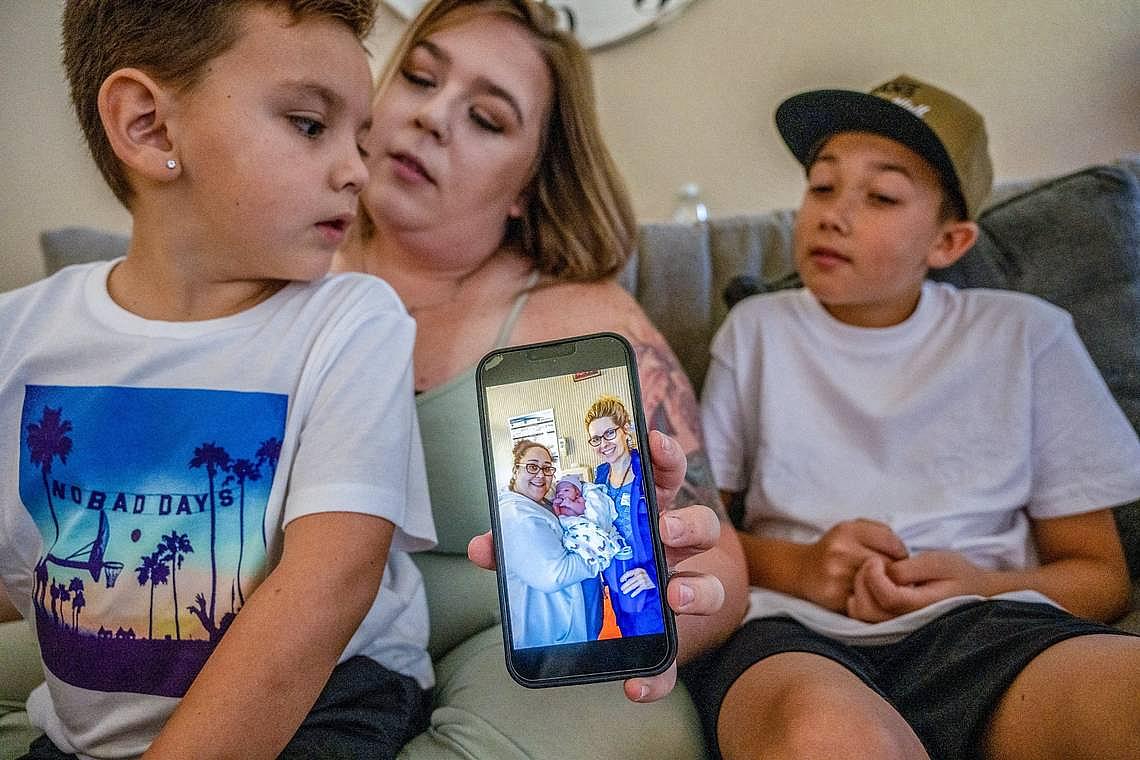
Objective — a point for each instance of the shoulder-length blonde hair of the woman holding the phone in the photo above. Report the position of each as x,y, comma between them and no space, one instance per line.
577,223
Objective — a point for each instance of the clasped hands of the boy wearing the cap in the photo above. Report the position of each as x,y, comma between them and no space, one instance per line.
862,569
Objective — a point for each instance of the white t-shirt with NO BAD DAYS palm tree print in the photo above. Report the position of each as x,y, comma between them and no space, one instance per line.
153,467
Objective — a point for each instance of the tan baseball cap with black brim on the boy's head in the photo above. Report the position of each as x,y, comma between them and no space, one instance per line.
942,128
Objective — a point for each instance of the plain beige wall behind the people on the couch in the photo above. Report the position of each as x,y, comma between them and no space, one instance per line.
1058,83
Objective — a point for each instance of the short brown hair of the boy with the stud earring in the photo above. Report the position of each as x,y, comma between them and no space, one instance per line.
173,42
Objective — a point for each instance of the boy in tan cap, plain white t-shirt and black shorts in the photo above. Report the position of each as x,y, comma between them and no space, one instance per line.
926,472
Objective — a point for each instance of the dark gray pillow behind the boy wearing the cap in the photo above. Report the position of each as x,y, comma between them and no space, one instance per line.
1076,242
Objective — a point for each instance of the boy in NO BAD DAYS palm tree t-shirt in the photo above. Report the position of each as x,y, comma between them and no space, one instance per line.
213,457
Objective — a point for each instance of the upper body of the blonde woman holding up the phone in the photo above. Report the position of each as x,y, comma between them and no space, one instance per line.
492,203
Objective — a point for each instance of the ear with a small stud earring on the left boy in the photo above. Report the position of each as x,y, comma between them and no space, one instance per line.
135,111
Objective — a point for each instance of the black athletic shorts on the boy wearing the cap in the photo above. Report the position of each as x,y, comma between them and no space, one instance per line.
946,680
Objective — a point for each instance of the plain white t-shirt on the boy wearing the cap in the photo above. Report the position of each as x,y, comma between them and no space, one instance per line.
981,411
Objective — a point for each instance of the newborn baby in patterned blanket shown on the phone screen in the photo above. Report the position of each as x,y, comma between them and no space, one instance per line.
588,517
